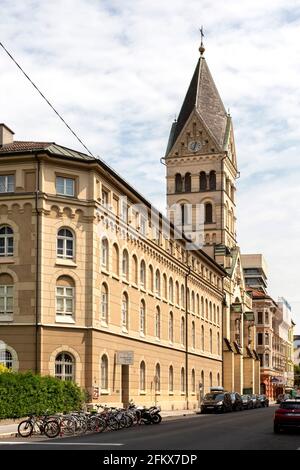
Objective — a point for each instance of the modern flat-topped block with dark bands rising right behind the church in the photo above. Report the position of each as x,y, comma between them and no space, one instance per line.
255,272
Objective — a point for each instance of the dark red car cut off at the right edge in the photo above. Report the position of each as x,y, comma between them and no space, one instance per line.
287,415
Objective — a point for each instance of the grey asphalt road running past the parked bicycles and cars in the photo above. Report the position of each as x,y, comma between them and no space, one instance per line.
246,430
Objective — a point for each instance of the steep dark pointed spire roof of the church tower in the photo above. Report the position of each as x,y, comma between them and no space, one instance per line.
203,96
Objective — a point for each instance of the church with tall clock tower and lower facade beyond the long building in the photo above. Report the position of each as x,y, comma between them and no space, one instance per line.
201,166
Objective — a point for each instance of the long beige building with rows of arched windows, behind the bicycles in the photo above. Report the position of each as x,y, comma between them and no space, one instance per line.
93,290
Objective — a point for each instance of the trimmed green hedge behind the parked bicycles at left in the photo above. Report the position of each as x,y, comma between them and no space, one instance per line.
25,393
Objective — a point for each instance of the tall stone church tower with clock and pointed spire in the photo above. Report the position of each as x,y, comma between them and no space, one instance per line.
202,168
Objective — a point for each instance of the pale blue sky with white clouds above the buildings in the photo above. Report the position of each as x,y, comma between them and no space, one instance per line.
118,72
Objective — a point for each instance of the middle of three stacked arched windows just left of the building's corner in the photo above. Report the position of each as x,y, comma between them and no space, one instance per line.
65,296
